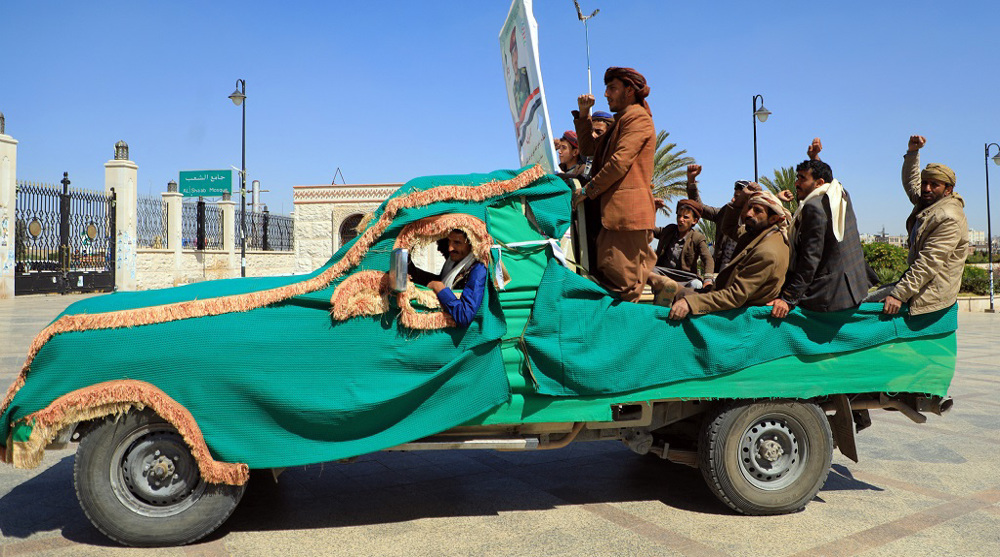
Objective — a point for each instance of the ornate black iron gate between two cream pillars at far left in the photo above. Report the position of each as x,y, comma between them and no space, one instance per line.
64,240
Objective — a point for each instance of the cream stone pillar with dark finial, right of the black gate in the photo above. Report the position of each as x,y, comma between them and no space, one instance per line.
122,175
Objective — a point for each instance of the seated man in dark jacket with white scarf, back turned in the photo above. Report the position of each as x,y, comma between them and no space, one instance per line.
827,270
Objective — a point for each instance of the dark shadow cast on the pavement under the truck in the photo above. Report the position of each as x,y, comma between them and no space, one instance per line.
389,488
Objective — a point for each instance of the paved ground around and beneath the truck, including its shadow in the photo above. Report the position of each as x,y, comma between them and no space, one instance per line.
931,489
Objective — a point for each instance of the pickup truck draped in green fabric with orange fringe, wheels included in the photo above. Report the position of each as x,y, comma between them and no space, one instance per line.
352,358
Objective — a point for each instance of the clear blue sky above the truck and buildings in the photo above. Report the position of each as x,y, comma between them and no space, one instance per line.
391,90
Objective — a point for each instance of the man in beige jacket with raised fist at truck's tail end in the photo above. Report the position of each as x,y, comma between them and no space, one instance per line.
939,237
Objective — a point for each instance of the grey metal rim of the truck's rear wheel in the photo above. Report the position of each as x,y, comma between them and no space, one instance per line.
773,452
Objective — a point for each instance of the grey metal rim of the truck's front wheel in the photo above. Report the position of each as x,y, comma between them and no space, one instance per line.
153,472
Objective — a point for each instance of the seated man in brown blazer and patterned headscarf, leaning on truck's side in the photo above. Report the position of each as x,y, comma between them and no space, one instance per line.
756,272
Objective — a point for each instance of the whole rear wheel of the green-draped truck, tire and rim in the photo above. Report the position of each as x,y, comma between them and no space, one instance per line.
766,458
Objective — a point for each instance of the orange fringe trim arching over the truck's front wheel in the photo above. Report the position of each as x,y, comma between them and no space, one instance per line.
117,397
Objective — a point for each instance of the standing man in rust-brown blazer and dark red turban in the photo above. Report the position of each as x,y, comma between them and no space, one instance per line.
622,174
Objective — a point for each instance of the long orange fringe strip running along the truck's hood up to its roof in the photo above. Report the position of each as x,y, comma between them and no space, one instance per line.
253,300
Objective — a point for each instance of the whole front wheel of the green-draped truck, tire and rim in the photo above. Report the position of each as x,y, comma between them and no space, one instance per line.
139,485
